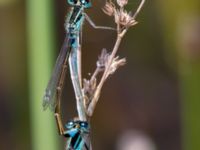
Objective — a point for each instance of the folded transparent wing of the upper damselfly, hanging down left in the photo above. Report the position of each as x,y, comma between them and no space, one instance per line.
49,95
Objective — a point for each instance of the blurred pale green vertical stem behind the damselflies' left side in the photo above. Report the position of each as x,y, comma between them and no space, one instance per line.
40,28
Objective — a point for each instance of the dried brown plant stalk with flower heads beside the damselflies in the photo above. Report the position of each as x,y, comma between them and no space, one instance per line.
109,63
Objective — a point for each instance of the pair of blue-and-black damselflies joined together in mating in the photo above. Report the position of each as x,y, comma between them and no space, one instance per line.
76,131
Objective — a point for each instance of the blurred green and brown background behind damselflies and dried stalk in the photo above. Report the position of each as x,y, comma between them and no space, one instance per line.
152,103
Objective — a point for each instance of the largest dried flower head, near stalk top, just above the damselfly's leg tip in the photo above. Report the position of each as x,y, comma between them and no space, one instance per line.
124,18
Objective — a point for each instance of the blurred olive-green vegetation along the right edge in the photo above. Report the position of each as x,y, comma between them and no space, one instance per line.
180,19
